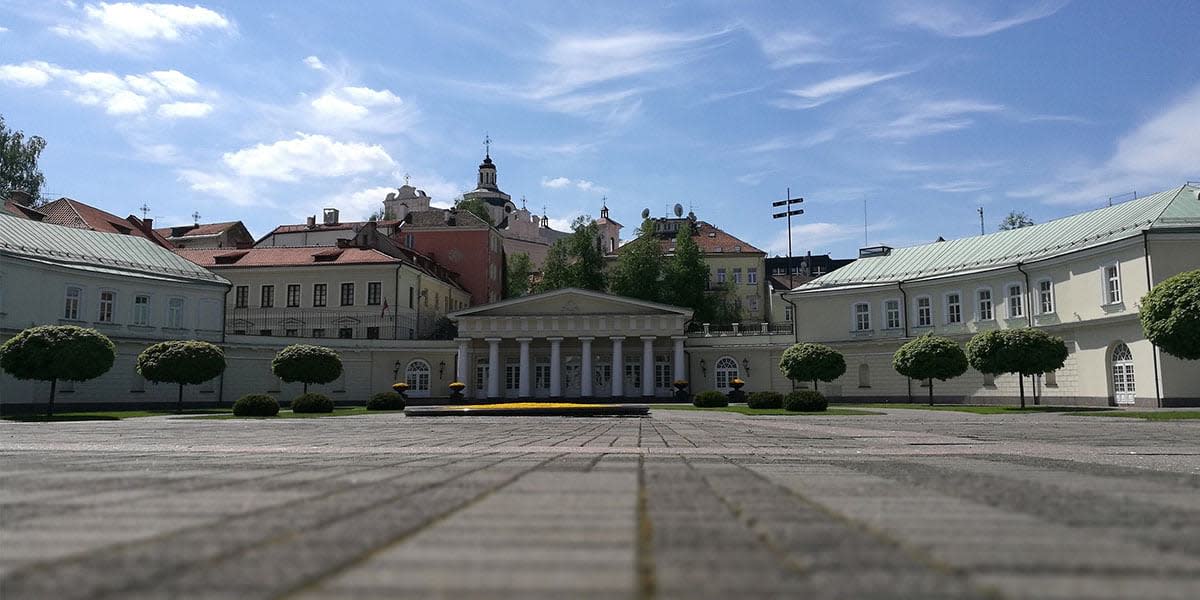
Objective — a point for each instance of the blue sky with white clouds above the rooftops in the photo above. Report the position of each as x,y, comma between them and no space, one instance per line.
266,112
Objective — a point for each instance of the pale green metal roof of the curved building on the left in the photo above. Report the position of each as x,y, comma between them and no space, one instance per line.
103,253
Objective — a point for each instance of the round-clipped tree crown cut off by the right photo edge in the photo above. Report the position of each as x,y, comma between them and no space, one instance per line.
1171,316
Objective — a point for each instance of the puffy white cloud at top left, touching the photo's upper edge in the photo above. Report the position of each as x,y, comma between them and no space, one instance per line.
130,27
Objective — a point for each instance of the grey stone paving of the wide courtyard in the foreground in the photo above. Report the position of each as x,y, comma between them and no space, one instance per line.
910,505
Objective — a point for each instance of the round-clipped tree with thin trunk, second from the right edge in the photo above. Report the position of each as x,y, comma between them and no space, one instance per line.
1024,352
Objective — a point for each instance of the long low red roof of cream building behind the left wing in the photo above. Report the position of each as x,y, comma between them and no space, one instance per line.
219,259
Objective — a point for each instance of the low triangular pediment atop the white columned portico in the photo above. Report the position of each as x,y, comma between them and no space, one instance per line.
572,302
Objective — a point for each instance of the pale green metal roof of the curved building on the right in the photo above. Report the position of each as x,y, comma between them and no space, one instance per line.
1165,211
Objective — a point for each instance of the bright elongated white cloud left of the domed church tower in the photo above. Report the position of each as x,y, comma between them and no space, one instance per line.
308,155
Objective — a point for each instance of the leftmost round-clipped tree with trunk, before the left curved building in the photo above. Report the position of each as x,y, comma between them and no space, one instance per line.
50,353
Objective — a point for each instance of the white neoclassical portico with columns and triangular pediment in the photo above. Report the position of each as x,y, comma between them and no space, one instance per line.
571,344
